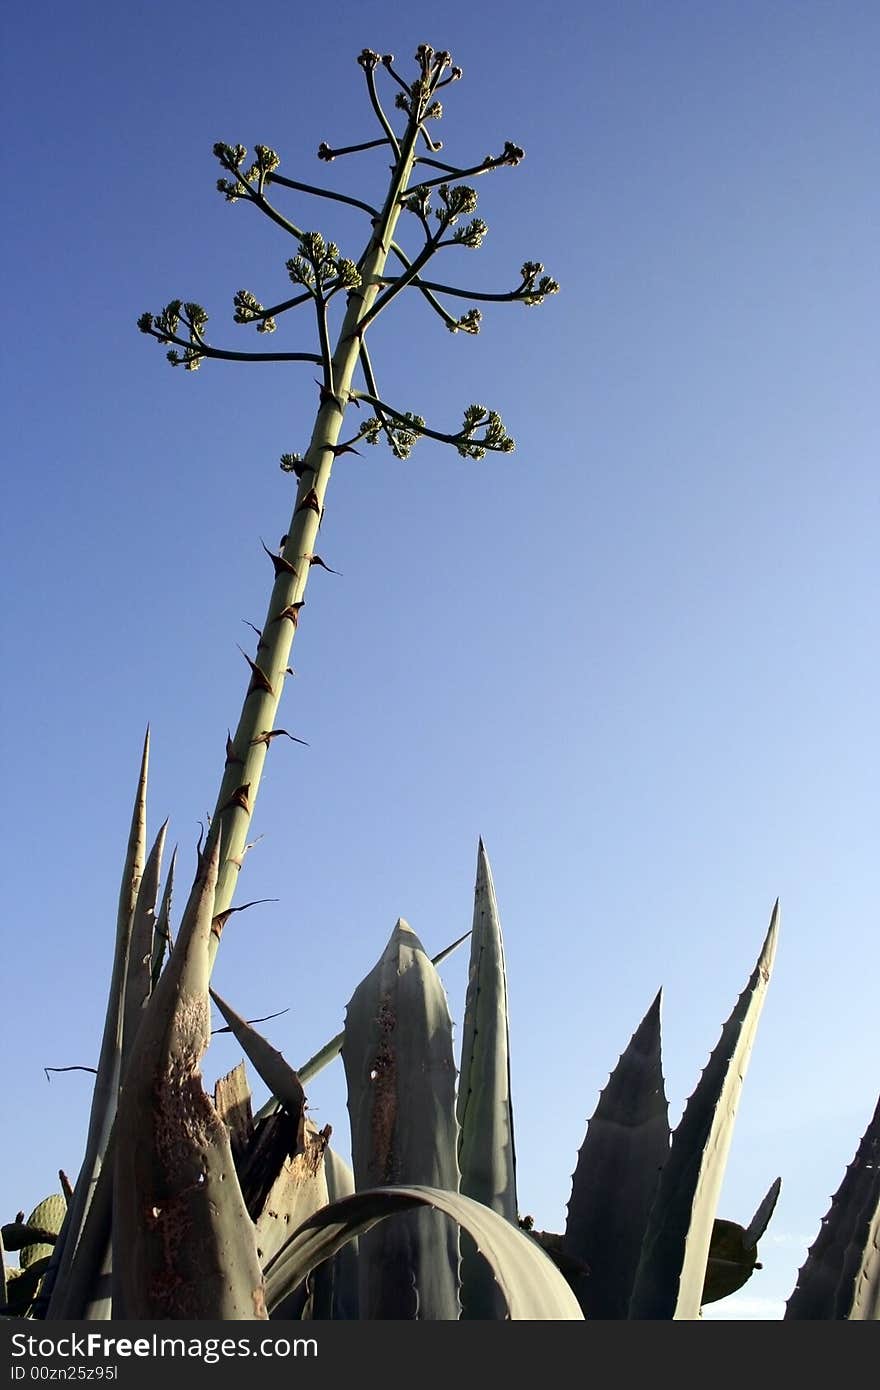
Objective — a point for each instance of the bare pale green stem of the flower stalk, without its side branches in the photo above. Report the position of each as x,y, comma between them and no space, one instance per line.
245,762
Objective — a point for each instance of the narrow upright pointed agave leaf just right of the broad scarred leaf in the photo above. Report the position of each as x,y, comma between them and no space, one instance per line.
487,1154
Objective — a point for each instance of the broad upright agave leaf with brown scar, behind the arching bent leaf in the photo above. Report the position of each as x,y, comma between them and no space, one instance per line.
401,1084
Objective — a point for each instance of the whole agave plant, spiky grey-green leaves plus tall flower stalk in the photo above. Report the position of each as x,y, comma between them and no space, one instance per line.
190,1206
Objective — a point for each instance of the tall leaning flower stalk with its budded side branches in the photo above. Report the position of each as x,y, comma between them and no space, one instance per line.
439,202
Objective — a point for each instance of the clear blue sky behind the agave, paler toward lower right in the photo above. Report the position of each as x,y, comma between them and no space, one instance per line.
637,657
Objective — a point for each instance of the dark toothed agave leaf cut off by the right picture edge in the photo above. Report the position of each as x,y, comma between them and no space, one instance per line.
840,1277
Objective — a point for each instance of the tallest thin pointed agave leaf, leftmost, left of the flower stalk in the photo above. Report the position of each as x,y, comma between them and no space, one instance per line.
111,1060
